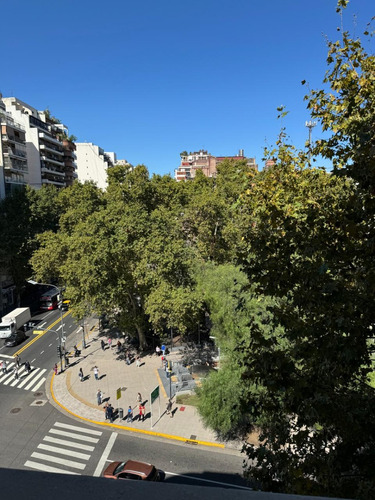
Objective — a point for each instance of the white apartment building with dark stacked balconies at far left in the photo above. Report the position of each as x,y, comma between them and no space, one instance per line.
50,156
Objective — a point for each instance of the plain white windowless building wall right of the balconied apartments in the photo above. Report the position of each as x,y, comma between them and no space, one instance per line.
92,163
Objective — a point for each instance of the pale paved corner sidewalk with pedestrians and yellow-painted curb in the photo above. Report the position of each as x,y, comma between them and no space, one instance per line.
79,398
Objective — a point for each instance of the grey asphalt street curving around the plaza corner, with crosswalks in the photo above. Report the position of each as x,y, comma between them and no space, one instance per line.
36,436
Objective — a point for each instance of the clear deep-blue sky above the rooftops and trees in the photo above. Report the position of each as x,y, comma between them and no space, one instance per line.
151,79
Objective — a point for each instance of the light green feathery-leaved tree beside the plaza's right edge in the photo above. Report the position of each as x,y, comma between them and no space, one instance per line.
228,398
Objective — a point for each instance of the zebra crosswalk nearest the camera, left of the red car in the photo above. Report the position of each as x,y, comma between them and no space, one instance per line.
50,453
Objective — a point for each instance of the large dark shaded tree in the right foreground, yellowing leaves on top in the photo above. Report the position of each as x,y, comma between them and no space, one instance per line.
308,240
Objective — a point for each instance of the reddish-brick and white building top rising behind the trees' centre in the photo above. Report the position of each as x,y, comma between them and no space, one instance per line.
206,163
